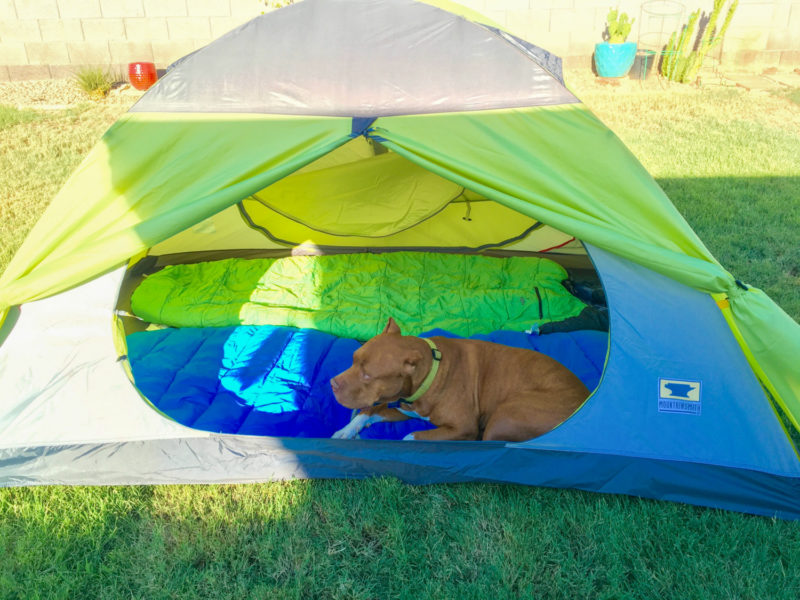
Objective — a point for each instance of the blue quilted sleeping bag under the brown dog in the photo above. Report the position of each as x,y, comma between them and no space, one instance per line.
275,381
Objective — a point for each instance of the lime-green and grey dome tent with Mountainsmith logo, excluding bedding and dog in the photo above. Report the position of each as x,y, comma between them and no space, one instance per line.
344,125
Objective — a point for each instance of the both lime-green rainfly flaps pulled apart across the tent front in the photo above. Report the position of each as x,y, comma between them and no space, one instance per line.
154,175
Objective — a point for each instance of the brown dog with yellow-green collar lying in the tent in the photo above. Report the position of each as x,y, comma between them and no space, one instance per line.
478,390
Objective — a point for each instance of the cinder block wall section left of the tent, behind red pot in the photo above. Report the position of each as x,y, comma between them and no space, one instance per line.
41,39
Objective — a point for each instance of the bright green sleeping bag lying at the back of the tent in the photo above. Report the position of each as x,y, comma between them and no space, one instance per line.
353,295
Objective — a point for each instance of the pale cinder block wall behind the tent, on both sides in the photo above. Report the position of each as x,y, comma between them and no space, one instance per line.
42,39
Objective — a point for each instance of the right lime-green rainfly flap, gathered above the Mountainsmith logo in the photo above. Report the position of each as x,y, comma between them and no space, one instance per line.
603,196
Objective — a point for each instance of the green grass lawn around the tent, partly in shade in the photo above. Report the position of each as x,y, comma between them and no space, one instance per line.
730,160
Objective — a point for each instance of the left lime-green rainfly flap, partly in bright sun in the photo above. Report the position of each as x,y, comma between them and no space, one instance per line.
150,177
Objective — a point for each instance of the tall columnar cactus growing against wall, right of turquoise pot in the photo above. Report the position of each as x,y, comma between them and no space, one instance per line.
678,65
